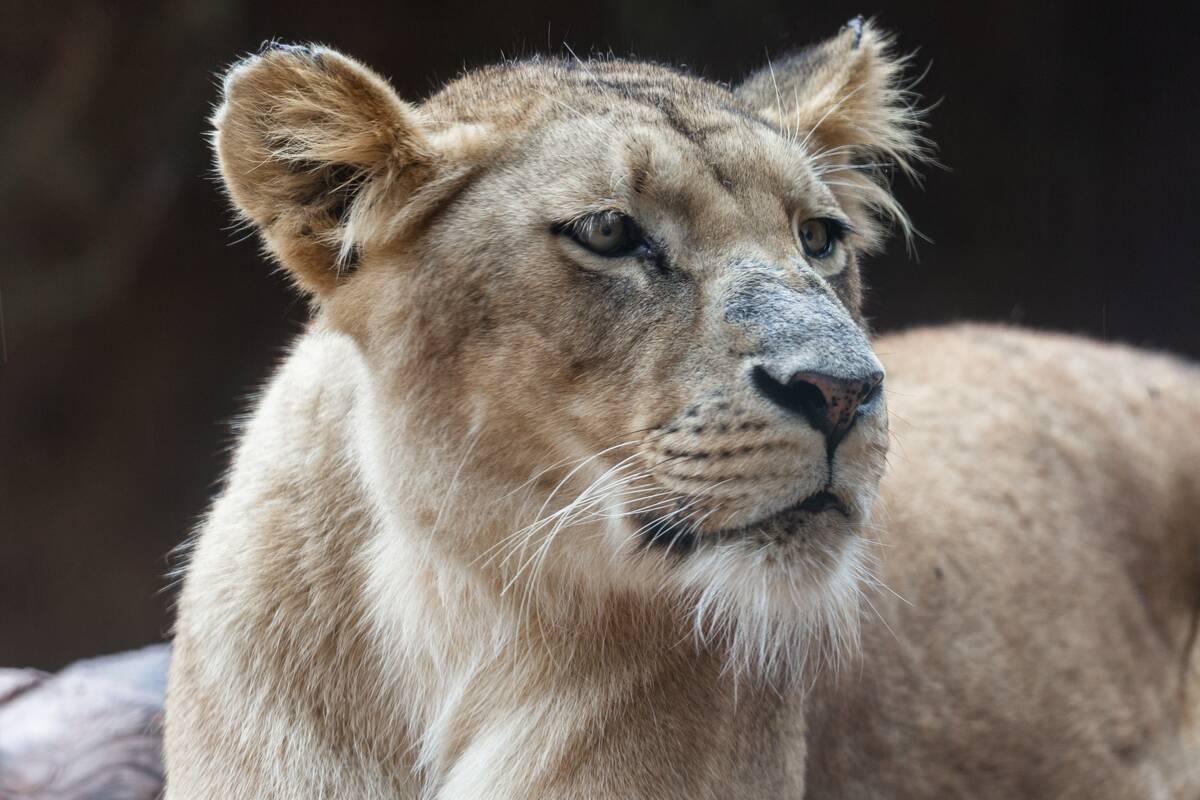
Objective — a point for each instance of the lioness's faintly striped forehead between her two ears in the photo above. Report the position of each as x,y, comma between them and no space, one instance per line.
653,127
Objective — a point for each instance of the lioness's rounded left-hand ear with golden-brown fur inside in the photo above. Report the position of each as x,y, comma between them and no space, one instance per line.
314,149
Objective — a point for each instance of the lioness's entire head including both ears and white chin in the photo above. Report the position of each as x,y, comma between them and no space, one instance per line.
632,297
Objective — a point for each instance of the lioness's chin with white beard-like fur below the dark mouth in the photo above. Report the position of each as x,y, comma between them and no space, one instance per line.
777,592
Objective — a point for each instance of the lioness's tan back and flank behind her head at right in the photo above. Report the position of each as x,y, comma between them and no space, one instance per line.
1041,536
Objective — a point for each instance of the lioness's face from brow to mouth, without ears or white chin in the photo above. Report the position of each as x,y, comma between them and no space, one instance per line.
656,302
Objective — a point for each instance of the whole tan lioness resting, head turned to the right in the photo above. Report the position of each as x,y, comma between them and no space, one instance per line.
575,486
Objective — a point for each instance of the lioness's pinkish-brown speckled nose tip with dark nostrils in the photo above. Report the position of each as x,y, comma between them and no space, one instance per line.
830,404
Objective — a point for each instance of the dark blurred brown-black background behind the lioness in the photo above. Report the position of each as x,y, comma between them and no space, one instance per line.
136,323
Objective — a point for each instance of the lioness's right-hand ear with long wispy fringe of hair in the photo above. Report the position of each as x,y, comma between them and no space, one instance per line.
847,103
